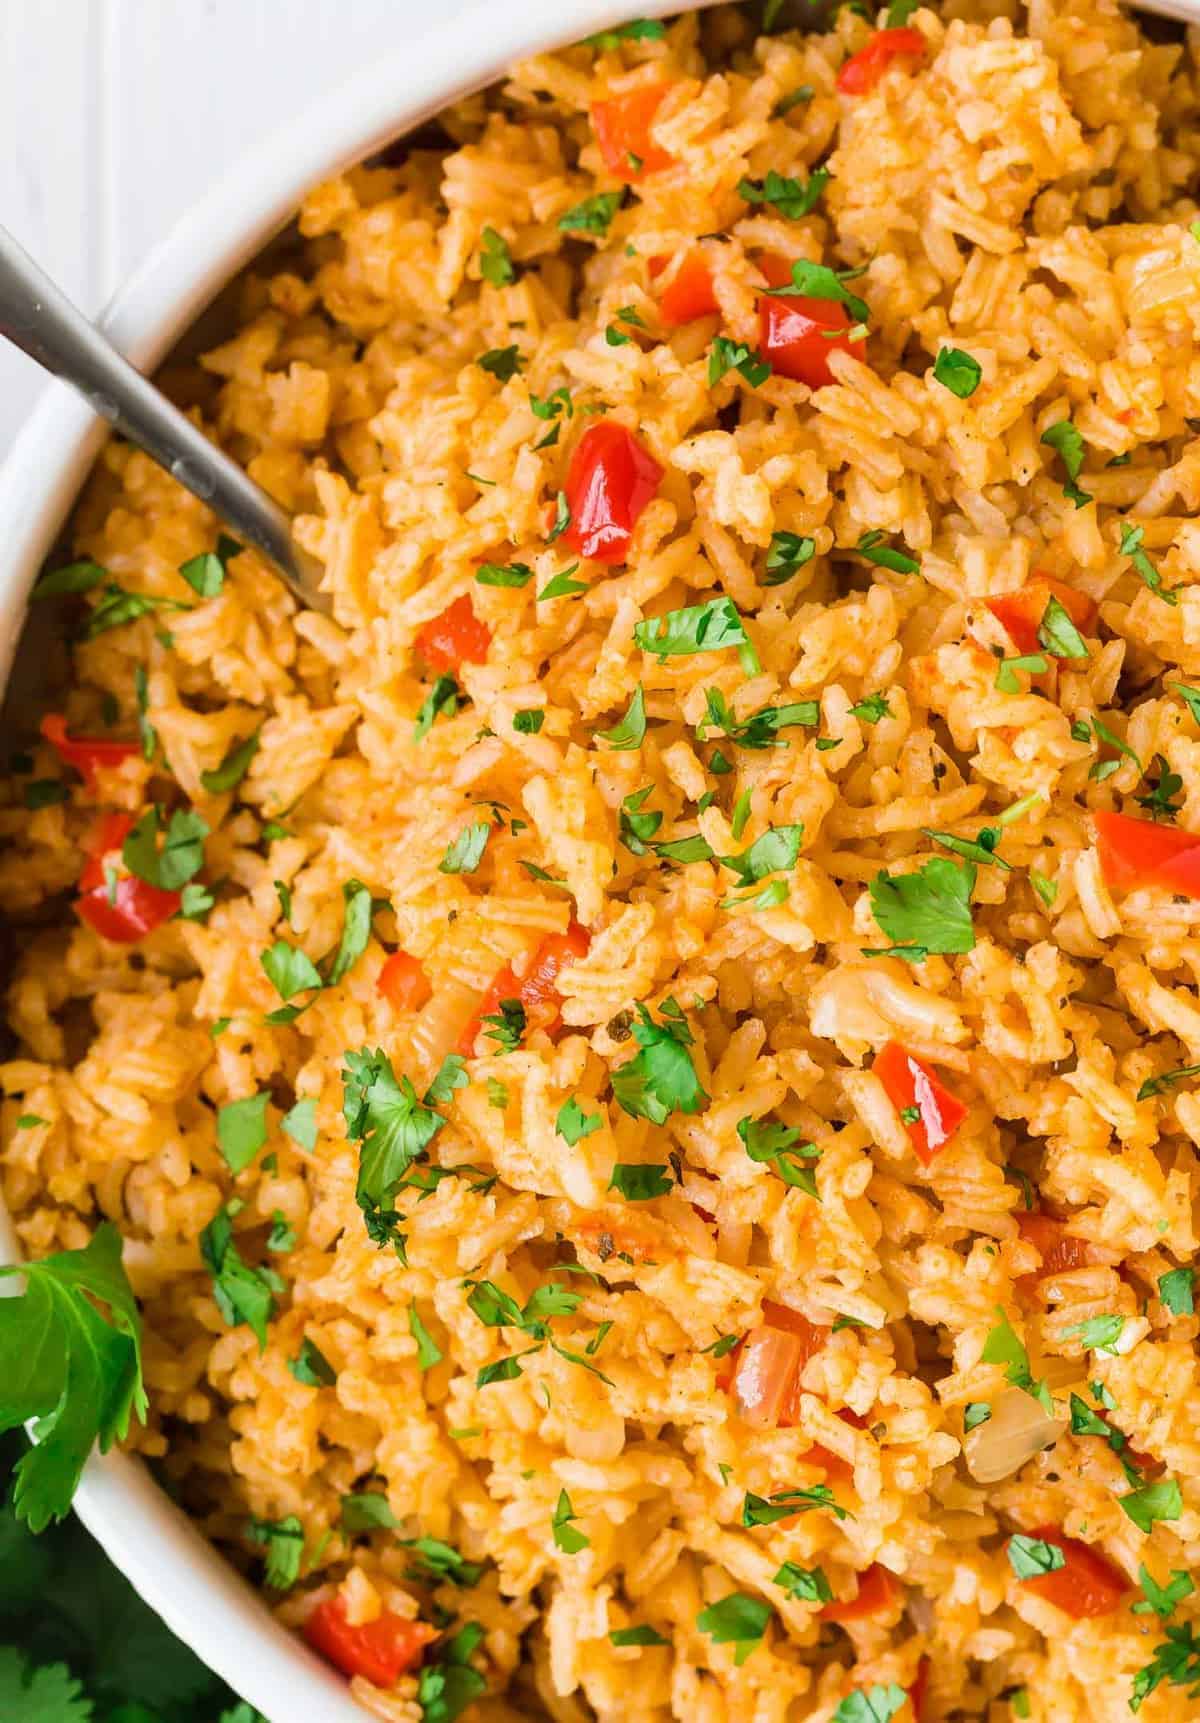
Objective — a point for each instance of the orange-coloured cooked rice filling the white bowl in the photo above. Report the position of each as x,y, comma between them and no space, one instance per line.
1023,197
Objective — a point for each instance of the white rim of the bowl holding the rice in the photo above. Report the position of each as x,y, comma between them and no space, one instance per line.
173,1567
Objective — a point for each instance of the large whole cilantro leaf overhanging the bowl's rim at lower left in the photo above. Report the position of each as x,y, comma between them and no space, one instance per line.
78,1374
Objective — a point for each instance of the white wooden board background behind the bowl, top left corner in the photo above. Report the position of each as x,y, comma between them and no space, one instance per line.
116,115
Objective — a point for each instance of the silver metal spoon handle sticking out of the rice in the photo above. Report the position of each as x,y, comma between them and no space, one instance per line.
37,318
